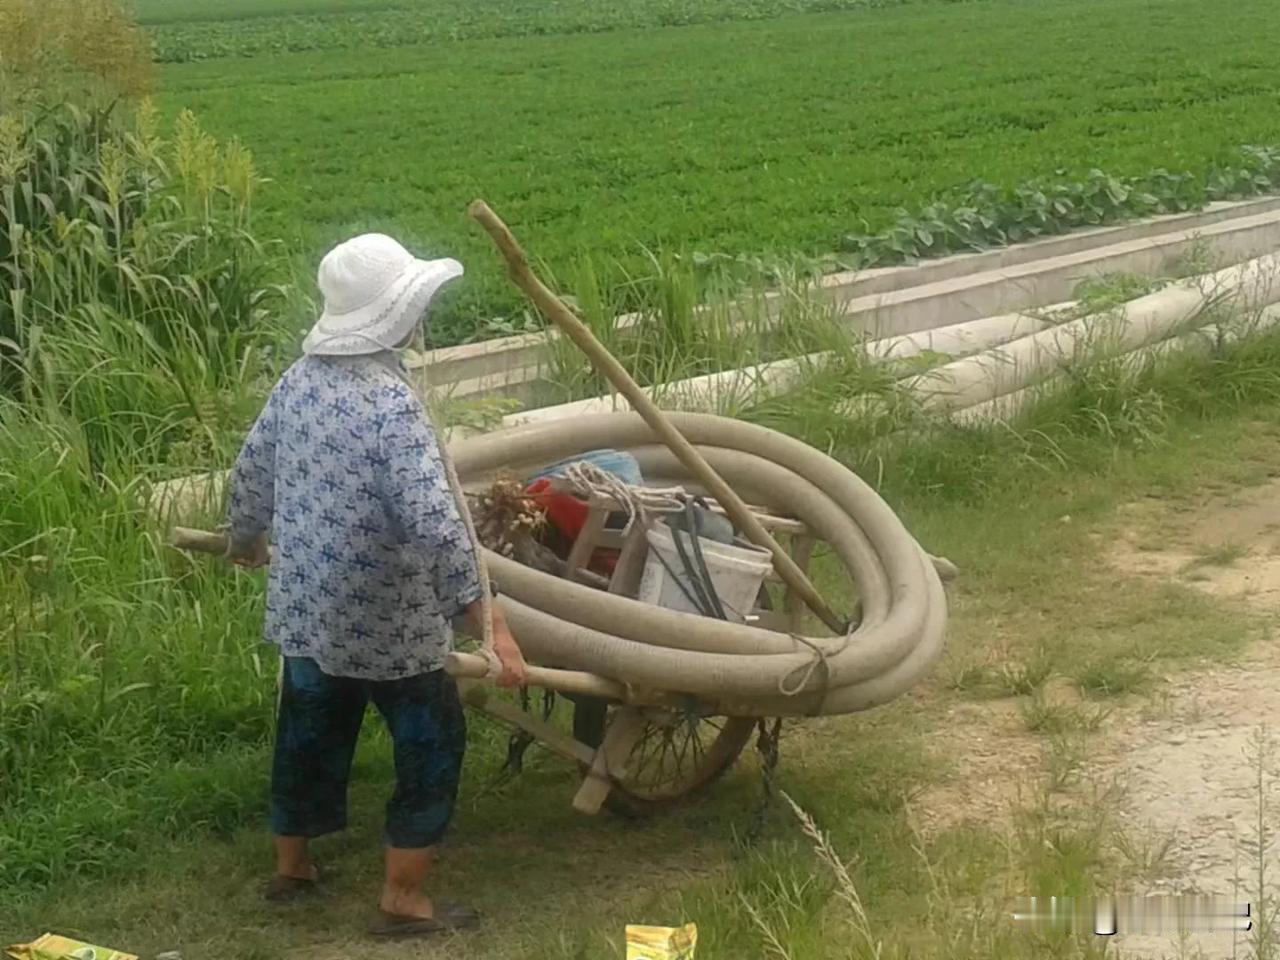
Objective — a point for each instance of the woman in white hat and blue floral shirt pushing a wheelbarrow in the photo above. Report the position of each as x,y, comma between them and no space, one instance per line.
372,563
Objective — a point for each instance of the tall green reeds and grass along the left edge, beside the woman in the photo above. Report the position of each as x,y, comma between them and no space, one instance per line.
139,328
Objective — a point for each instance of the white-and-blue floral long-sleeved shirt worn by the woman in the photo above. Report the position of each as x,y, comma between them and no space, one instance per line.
371,559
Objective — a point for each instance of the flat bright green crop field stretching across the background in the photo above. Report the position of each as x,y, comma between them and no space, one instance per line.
747,138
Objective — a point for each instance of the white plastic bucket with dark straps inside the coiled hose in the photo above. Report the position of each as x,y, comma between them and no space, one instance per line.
737,573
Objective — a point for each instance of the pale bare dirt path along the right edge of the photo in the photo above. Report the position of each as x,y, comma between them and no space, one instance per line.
1194,770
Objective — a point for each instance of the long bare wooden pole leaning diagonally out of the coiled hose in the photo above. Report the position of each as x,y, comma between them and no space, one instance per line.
520,275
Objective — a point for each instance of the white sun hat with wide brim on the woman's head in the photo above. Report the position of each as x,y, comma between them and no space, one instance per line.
374,295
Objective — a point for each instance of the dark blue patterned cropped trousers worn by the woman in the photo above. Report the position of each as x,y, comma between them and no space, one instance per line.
316,740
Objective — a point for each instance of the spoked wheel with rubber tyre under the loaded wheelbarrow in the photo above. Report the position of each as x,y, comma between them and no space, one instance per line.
646,792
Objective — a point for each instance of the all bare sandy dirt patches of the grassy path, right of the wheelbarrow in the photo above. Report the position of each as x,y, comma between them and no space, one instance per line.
1186,757
